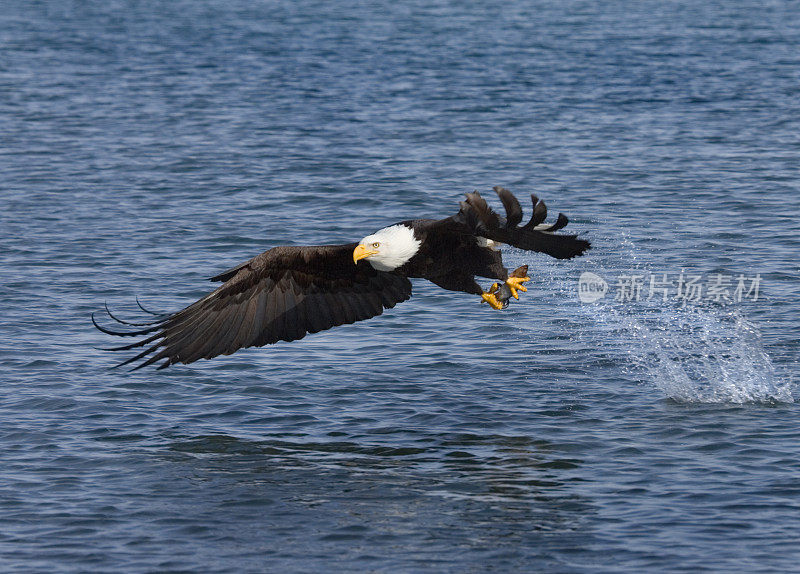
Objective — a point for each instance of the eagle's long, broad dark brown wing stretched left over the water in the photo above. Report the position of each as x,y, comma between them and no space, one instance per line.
279,295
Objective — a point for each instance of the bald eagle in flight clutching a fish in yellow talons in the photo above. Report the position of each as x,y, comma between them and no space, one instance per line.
287,292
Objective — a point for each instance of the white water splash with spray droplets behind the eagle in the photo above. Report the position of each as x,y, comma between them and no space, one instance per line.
695,353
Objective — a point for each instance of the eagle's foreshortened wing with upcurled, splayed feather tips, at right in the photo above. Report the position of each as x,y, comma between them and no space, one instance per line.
533,236
